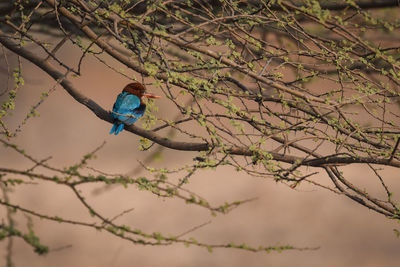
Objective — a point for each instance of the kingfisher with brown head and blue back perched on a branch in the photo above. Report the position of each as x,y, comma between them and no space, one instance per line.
129,106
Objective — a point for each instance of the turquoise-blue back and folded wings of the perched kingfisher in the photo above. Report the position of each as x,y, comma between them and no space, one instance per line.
126,104
